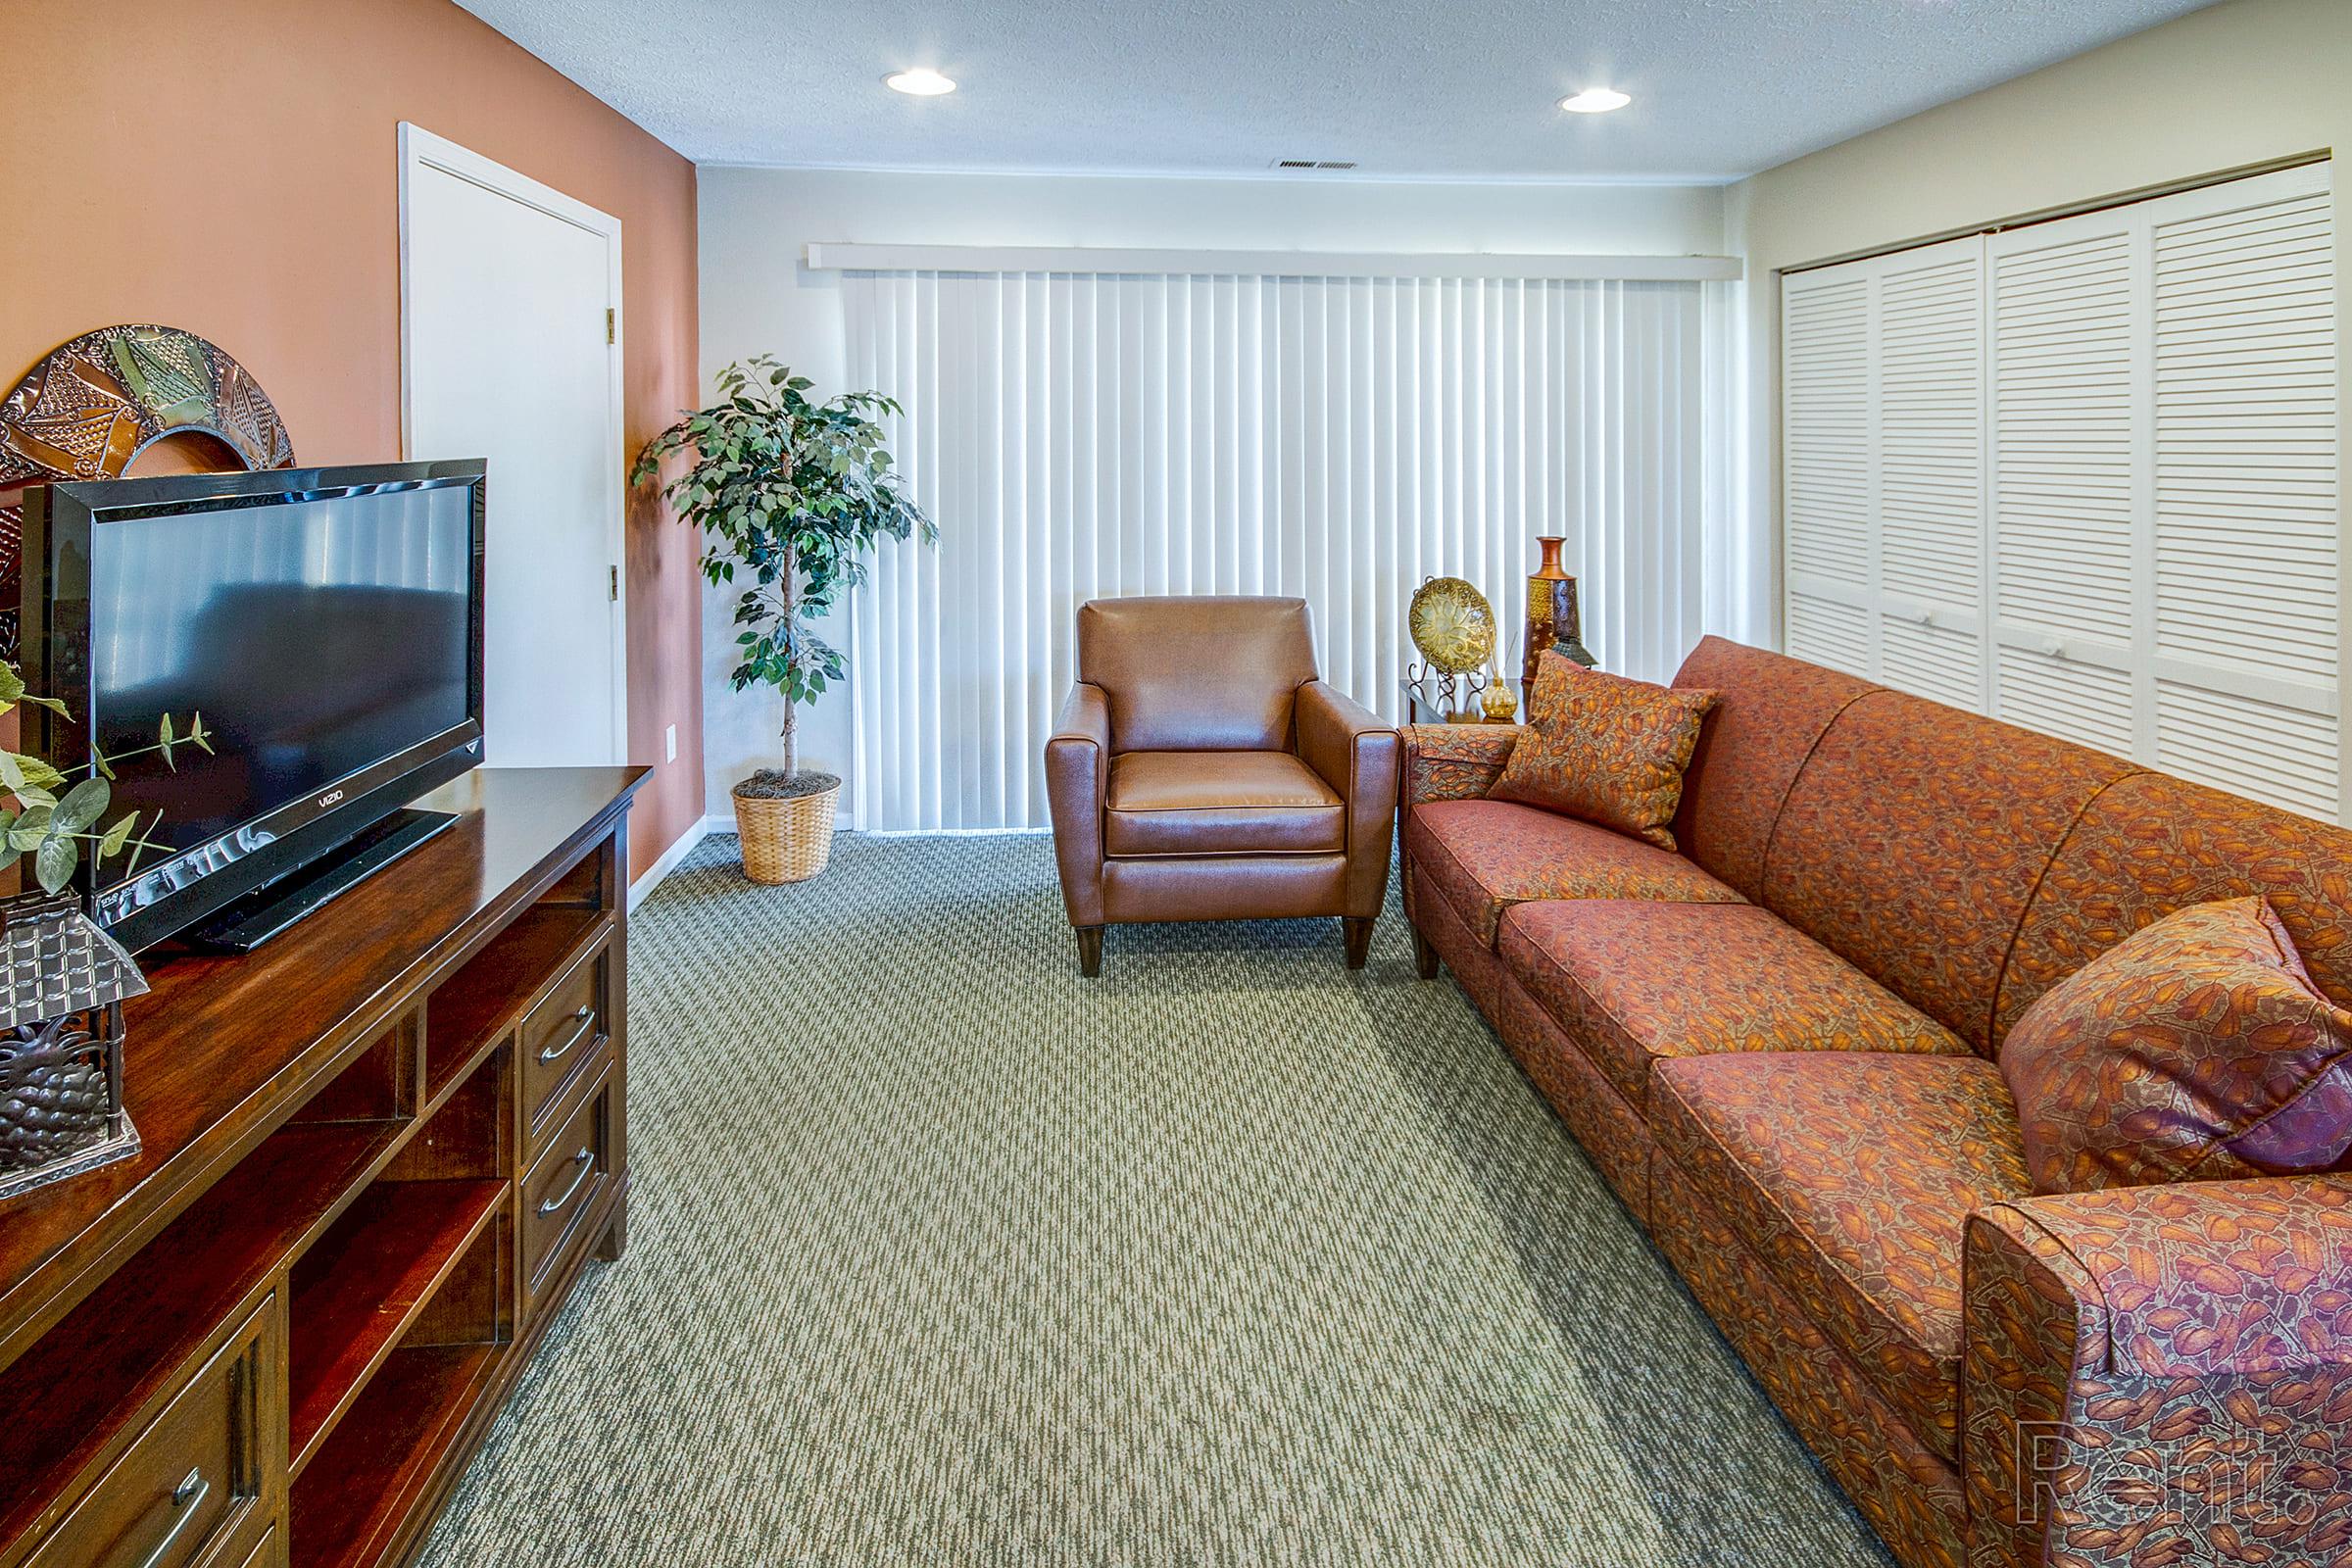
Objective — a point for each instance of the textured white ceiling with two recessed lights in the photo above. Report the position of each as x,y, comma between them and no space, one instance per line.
1405,88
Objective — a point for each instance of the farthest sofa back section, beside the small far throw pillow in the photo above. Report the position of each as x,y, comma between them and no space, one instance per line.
1770,713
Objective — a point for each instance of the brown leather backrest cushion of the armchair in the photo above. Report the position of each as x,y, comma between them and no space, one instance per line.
1198,674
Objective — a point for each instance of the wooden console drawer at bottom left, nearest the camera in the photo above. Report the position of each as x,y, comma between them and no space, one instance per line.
192,1482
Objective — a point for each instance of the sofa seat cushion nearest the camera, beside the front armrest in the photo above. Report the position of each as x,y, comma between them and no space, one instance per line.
1852,1177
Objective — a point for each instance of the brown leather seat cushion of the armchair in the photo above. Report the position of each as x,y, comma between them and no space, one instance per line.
1220,805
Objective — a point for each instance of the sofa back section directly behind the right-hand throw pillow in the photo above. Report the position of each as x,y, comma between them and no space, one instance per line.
2153,845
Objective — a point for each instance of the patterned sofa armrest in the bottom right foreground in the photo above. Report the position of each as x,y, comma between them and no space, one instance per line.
2160,1374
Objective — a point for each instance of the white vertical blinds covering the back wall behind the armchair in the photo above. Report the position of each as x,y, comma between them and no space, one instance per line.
1339,438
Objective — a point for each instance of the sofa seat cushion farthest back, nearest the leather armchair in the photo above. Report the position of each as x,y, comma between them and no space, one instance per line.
1488,855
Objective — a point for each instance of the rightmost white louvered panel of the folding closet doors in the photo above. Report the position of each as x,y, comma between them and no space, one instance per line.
2245,556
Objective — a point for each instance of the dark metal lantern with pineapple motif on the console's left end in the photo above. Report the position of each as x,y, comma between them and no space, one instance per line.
62,986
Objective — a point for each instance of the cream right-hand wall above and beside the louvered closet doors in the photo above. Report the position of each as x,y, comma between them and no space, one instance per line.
2233,86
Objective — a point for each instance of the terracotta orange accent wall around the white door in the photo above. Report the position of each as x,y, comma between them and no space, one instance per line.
232,168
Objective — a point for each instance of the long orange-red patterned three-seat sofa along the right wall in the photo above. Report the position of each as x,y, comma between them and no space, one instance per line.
1777,1047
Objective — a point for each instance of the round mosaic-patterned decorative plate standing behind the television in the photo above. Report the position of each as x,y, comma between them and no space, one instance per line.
100,401
